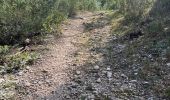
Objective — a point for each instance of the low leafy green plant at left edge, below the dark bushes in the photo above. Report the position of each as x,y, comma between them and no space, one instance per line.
12,63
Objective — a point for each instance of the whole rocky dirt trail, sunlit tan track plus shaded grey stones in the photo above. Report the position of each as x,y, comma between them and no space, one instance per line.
91,61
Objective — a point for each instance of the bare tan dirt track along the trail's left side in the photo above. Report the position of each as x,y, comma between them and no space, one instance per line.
53,69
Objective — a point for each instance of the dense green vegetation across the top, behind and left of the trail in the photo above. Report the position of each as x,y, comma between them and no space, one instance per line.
20,19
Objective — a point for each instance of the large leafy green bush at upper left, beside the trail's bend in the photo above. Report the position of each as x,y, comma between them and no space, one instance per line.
18,18
